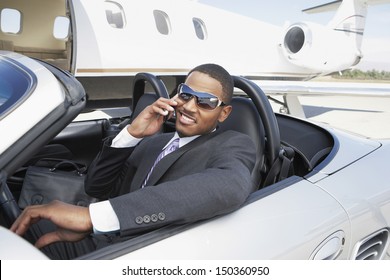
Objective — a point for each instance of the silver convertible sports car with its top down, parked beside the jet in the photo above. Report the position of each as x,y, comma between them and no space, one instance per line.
324,194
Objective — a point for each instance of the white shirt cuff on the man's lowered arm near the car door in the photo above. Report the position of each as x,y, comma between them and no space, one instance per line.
103,217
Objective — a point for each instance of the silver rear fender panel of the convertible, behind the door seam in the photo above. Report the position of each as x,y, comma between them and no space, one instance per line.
363,196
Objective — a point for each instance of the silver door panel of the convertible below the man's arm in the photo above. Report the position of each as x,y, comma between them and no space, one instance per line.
290,223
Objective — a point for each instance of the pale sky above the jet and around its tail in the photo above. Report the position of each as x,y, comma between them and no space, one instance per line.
376,42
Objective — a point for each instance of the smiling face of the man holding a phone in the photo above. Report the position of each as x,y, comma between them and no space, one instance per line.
192,120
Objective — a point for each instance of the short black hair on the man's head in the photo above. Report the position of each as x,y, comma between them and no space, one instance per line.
220,74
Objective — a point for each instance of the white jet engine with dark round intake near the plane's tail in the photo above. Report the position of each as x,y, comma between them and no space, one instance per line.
320,49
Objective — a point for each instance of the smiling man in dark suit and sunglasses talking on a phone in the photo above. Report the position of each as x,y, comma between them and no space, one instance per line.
207,172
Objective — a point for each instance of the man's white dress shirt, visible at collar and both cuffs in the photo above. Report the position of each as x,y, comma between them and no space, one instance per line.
103,217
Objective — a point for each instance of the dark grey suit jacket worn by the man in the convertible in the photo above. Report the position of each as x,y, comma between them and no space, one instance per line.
207,177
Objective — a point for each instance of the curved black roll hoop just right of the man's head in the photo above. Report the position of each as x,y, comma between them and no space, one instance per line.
267,115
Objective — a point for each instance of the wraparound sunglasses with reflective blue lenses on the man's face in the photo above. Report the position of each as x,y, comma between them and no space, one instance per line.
204,100
